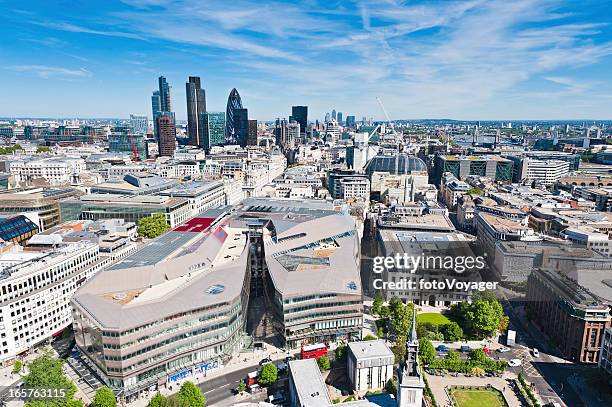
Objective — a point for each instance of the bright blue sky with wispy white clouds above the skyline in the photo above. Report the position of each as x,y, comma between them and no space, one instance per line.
463,59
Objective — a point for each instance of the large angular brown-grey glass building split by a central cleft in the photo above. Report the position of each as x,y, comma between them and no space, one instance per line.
182,307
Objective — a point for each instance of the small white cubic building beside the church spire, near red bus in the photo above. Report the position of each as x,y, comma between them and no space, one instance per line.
369,365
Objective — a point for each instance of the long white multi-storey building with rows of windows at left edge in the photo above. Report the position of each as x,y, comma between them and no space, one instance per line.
35,291
